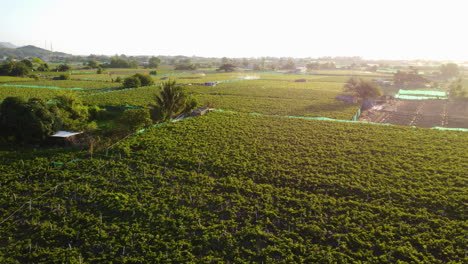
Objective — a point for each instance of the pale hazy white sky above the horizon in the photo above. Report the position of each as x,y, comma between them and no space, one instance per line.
389,29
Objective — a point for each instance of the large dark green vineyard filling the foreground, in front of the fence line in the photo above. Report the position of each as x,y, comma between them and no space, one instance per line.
278,190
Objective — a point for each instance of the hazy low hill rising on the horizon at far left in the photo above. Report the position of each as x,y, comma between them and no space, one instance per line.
28,51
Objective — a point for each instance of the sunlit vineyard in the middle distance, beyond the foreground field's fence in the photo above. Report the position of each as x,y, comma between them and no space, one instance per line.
266,93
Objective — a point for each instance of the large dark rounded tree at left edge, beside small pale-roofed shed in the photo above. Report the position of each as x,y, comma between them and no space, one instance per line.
28,121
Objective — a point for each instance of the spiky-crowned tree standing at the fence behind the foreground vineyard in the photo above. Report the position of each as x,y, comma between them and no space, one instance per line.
171,102
